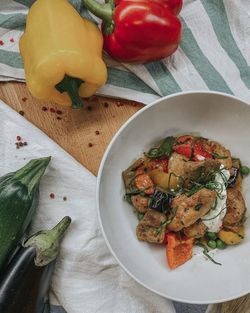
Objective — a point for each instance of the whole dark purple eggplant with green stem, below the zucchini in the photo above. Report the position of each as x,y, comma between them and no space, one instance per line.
25,283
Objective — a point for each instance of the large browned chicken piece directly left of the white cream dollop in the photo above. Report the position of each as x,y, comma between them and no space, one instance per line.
190,209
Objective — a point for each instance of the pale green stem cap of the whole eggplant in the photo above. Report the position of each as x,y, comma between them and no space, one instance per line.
47,242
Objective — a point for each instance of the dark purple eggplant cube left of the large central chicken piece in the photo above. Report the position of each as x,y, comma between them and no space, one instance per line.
160,201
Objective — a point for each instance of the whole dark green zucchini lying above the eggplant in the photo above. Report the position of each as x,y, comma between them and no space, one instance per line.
19,193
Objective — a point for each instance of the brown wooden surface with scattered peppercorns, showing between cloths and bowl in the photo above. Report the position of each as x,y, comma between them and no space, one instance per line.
85,134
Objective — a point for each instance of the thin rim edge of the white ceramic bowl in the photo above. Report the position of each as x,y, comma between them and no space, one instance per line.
101,167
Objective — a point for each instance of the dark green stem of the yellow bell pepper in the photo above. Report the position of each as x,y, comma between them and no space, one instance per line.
71,86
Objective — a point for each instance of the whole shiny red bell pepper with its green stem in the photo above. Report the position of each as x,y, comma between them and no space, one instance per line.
139,31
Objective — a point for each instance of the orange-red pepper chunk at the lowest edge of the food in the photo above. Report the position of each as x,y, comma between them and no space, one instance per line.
179,249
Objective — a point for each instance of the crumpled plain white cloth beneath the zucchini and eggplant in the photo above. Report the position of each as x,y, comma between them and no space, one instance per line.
87,278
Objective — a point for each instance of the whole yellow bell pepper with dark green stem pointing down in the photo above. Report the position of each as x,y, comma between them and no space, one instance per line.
62,53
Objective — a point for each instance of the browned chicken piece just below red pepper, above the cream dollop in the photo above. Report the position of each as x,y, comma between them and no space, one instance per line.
192,170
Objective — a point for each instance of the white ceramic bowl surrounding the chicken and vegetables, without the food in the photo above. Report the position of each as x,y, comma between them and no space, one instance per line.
214,115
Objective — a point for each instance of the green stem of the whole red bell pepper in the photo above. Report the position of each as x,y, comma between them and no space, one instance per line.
104,11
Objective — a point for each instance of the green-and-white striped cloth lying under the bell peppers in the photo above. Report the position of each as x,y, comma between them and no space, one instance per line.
214,53
